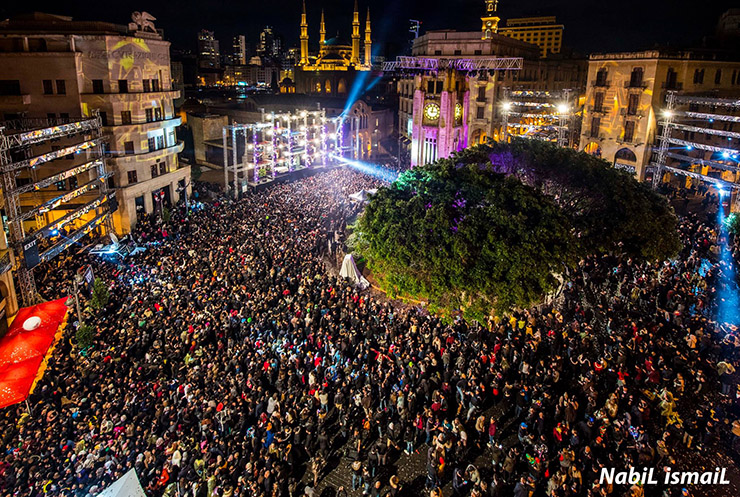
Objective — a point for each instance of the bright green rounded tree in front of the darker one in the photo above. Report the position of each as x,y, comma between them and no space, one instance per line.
464,237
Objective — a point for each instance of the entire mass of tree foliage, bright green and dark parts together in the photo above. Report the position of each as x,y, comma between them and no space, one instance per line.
490,228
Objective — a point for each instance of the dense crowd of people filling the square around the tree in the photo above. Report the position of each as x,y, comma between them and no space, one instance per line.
230,360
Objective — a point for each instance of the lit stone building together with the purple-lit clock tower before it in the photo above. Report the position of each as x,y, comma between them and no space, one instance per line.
448,110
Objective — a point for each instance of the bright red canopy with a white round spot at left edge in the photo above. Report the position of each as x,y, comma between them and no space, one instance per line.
26,347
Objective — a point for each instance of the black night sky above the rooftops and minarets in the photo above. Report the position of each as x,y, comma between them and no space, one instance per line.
590,25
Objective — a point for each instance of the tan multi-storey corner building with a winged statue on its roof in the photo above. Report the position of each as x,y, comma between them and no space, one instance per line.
65,69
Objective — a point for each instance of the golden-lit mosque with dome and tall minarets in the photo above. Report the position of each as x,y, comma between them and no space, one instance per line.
333,69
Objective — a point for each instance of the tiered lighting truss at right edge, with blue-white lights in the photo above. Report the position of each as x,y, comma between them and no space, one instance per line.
684,117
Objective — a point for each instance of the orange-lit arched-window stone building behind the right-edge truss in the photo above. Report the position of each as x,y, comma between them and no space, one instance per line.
626,92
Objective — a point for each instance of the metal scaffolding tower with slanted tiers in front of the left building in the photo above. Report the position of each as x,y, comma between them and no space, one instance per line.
20,142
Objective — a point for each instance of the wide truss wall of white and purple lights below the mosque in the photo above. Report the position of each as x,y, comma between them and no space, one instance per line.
279,143
